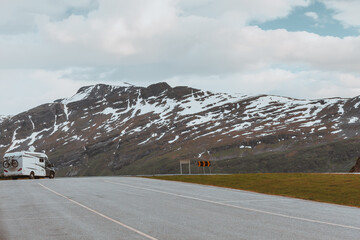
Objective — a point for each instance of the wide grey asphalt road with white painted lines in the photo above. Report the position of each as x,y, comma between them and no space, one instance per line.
137,208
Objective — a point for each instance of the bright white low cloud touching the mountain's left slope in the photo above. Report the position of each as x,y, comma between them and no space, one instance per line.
23,89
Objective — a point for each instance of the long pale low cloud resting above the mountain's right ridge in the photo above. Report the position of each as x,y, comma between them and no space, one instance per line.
302,85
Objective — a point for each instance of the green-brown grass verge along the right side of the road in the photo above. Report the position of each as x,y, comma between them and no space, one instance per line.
341,189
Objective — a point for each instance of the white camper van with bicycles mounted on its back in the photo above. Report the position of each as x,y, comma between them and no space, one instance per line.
31,164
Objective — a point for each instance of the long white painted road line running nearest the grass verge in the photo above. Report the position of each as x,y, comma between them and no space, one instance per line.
238,207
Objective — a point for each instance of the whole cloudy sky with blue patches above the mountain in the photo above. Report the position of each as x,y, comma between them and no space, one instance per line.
297,48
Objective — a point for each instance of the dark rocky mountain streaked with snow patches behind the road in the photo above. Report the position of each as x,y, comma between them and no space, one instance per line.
106,129
